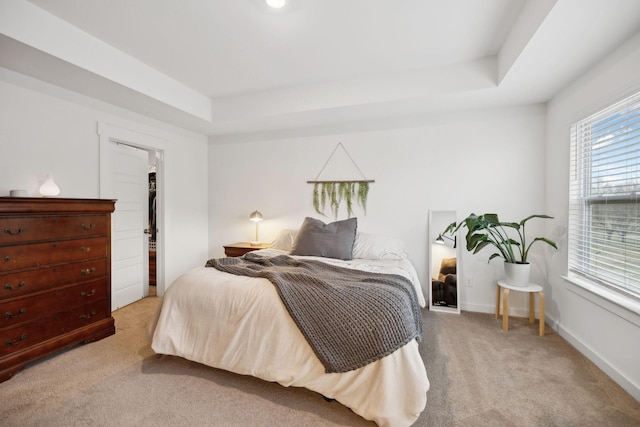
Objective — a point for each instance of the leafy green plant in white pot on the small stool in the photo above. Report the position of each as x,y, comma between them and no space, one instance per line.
509,238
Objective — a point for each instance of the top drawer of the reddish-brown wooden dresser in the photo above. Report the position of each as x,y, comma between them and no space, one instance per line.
38,228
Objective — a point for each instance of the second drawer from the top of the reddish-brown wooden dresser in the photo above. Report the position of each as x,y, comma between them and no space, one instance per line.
46,254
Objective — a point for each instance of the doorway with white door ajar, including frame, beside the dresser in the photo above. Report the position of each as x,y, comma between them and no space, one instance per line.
127,162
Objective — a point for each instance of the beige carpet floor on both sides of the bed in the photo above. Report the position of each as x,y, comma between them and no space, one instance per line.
480,376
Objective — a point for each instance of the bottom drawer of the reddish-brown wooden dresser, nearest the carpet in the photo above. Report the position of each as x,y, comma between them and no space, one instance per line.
36,331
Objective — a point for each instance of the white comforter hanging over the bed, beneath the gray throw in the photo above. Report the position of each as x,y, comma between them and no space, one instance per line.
239,324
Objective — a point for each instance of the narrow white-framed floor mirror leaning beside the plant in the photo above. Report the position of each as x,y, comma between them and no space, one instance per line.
443,262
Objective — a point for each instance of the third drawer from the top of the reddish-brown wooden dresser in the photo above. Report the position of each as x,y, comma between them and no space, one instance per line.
41,279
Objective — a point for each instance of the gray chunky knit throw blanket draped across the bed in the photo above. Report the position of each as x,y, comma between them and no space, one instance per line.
349,317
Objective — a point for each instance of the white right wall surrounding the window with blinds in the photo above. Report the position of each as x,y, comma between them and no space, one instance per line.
606,333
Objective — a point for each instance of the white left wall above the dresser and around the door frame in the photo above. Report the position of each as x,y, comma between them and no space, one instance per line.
42,133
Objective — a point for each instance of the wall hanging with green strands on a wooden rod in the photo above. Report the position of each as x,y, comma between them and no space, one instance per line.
333,192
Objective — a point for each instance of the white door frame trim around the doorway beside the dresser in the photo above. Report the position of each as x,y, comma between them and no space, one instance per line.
107,134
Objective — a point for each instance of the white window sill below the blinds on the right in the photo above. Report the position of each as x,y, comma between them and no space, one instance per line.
609,300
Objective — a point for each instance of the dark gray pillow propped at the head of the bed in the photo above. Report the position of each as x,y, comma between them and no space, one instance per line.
334,240
